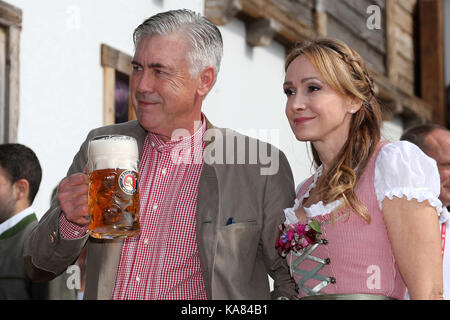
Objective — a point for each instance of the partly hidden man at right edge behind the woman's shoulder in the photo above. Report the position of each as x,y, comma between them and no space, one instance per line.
434,140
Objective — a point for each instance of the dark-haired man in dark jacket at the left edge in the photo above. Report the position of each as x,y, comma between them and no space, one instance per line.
20,177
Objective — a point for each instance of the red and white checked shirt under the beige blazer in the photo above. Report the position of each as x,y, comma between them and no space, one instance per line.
163,261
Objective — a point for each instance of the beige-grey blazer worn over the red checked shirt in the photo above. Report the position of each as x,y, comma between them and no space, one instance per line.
235,259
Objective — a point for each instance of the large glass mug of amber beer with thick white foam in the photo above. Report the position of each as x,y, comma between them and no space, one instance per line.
113,187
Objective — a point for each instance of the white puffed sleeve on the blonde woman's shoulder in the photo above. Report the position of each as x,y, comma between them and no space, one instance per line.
402,169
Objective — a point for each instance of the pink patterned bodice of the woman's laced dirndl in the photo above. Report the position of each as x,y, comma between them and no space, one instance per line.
360,254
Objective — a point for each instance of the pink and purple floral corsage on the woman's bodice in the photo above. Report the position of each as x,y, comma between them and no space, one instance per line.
296,237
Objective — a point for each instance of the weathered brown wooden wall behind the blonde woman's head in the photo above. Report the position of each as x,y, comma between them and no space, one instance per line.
391,51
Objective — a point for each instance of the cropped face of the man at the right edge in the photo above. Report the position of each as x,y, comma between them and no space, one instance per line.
438,142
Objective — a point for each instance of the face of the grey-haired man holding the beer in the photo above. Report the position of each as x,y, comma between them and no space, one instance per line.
164,94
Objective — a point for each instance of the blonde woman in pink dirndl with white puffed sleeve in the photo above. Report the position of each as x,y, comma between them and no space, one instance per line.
365,225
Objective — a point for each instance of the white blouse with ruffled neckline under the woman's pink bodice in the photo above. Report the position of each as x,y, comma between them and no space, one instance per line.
401,169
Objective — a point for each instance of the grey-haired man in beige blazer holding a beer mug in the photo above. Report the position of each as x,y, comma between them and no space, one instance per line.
208,220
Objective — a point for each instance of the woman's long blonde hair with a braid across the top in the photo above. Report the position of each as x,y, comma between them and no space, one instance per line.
344,70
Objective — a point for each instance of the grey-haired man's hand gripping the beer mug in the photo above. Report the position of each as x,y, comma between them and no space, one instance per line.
73,198
